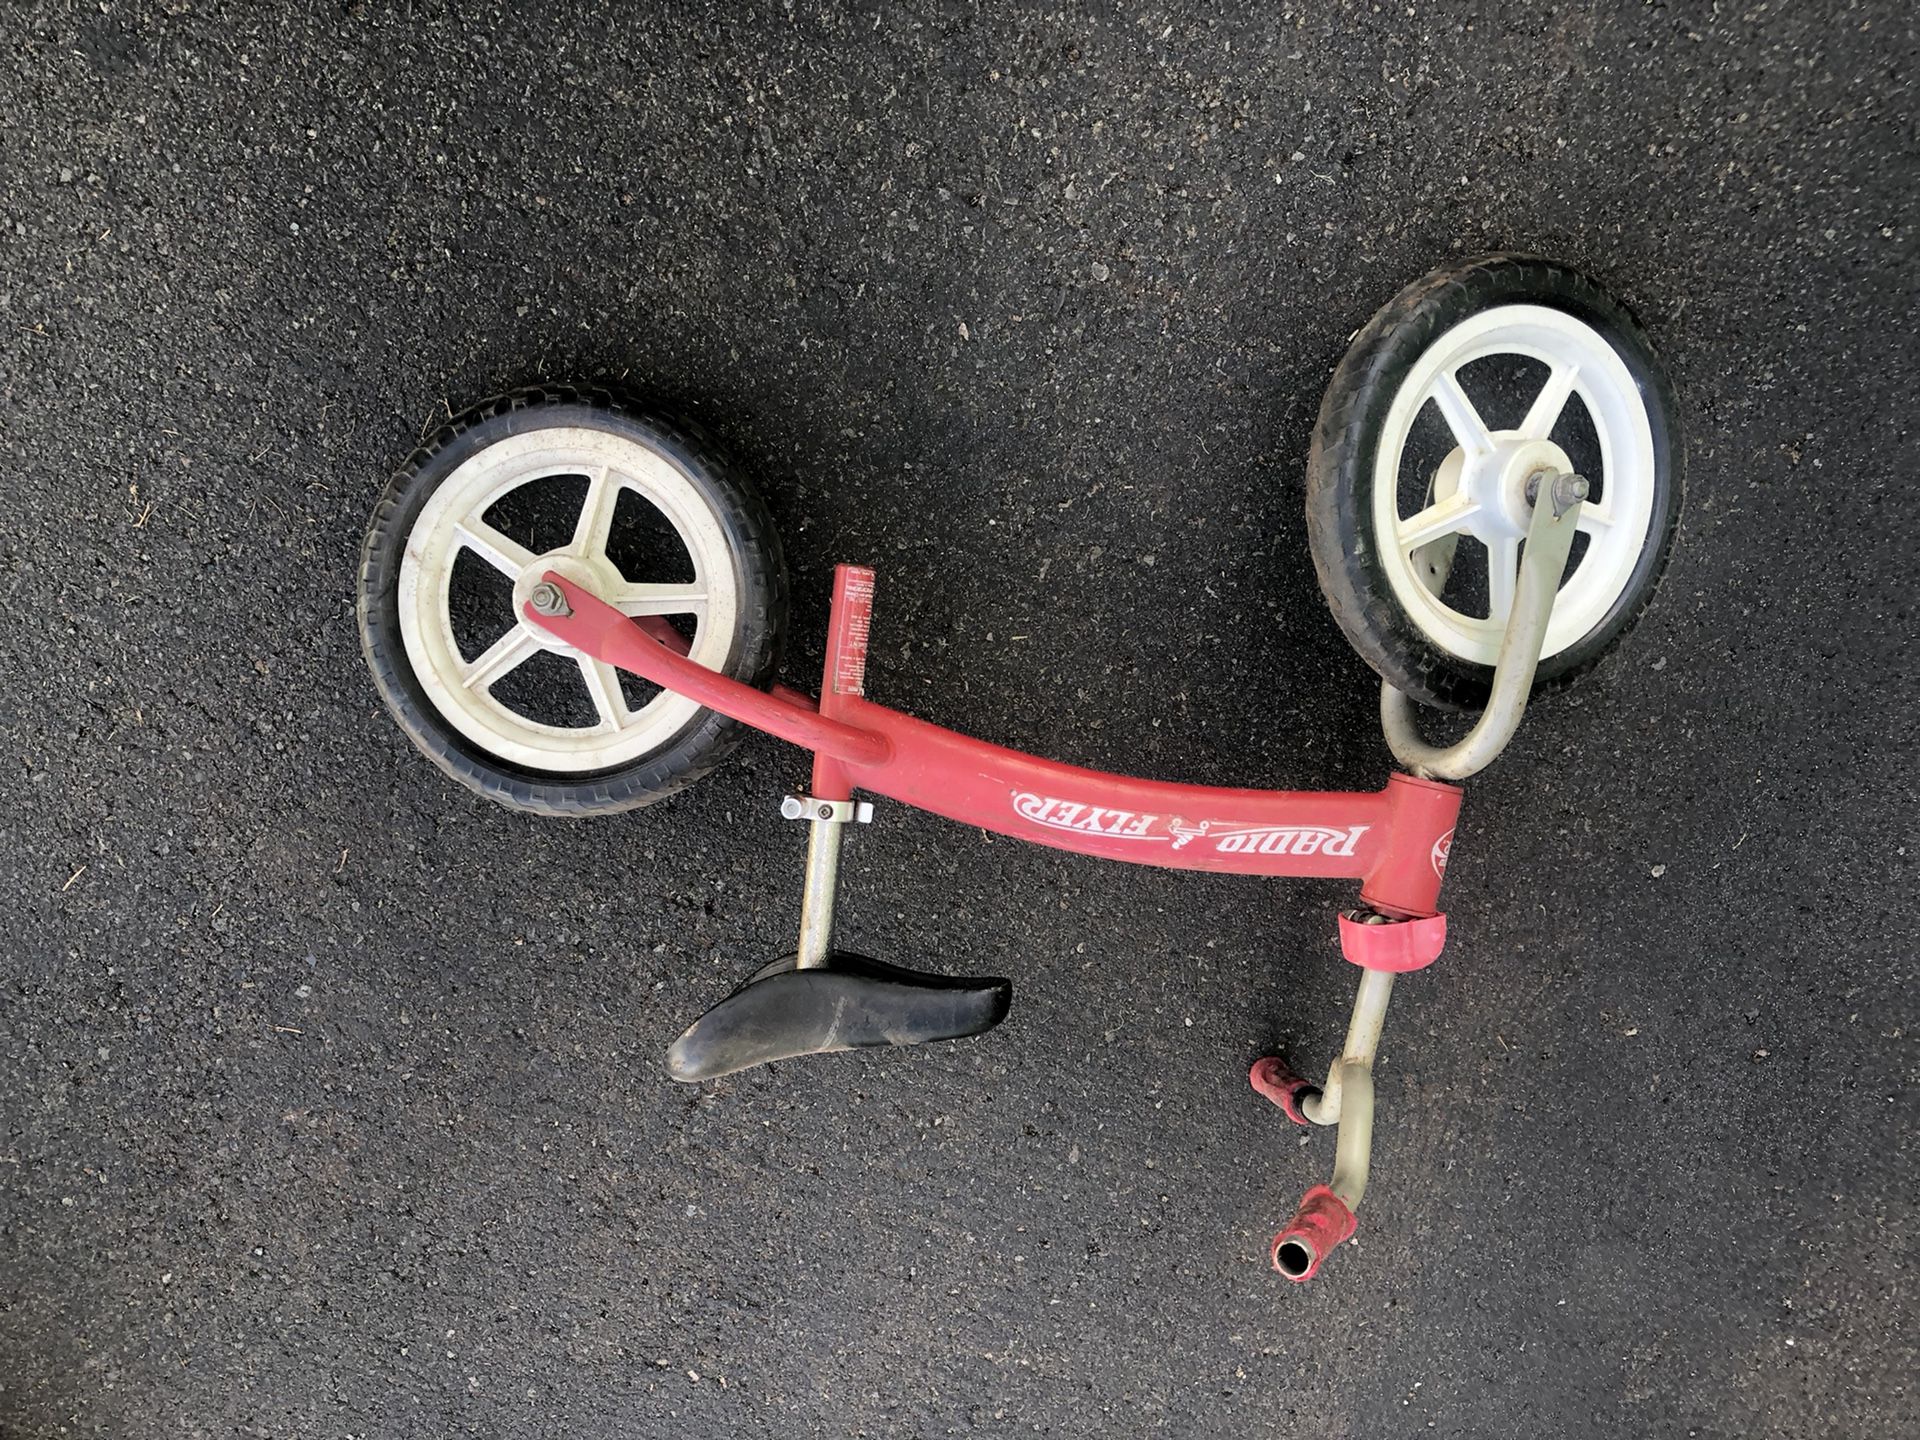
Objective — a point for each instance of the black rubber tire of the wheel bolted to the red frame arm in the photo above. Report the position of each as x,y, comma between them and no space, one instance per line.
759,573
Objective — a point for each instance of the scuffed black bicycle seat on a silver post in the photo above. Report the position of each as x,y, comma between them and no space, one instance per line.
852,1003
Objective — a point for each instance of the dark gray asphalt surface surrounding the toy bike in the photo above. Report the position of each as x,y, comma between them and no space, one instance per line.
331,1095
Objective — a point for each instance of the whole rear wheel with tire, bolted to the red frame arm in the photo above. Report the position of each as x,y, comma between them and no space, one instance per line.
636,510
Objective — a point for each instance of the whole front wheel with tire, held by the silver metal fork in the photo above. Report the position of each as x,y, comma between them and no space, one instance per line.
1449,402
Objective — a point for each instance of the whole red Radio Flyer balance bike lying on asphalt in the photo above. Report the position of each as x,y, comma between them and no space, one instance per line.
571,608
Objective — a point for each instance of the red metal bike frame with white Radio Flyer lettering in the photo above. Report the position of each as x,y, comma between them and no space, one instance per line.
1393,840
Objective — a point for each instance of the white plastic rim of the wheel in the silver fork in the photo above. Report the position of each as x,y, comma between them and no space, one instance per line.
1487,500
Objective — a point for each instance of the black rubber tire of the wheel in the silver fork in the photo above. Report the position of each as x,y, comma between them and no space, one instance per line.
1347,441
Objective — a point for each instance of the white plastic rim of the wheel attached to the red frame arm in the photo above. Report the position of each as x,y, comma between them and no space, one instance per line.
454,519
